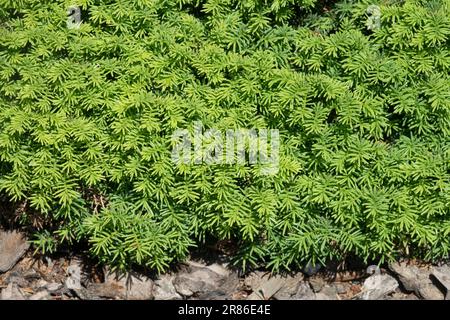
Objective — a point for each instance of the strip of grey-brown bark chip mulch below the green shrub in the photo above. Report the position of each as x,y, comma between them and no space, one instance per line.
25,276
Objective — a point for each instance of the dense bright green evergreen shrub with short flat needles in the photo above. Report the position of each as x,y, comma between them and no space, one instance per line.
359,91
